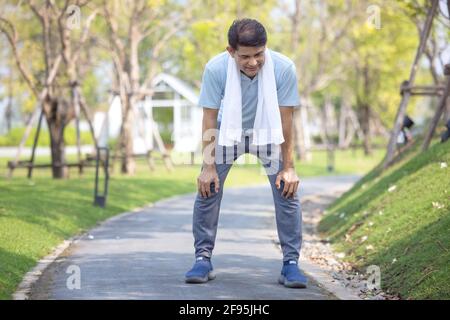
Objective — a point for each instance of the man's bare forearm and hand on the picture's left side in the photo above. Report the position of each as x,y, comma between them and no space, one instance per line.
209,173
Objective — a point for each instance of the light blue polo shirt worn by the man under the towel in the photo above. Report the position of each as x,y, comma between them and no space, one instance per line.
215,77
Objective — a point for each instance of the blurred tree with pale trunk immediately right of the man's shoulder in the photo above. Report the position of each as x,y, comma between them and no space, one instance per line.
315,31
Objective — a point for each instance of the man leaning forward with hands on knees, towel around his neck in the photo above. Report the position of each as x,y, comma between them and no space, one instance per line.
255,67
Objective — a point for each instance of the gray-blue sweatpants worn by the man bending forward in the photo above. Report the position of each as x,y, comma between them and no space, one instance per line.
287,211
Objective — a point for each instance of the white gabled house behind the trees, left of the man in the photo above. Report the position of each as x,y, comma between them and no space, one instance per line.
187,117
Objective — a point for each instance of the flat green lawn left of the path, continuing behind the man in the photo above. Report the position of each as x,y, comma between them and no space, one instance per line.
38,214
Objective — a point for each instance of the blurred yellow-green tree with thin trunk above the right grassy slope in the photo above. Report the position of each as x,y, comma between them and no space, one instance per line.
375,59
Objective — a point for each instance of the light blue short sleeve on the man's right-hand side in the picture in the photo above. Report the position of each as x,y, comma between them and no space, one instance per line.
287,91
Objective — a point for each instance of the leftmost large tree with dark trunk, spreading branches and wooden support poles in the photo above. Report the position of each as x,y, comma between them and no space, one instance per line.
55,78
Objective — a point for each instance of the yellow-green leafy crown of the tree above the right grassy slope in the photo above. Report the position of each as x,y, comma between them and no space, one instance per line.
386,56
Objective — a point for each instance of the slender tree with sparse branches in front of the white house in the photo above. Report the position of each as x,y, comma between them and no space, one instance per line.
138,31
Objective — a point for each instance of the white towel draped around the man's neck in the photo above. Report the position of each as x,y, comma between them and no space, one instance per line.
267,127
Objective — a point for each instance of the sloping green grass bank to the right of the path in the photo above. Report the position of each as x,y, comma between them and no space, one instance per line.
405,231
